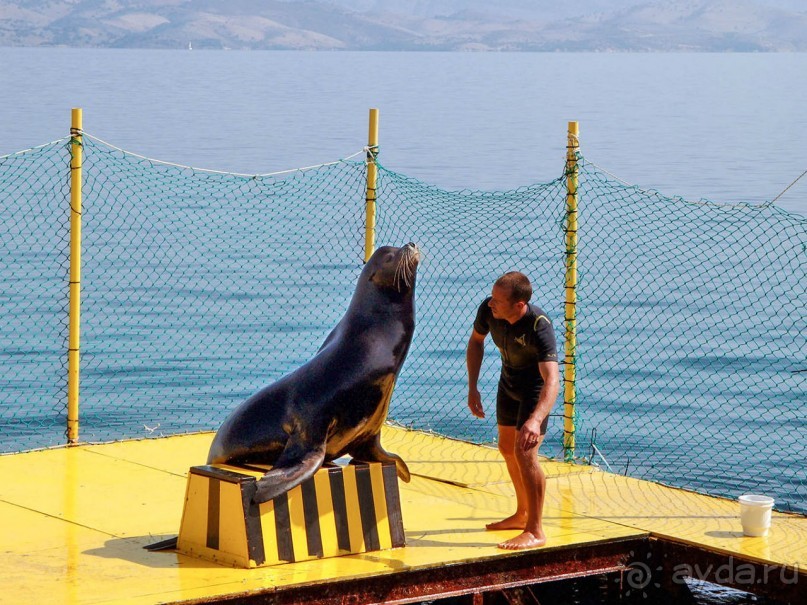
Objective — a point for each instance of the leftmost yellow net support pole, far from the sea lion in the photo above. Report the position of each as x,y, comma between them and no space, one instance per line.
73,346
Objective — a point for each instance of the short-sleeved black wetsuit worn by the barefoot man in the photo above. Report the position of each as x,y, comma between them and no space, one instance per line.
522,345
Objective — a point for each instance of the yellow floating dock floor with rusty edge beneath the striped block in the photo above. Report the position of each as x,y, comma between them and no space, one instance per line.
75,520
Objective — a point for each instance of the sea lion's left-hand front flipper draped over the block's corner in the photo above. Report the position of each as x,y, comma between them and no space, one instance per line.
298,462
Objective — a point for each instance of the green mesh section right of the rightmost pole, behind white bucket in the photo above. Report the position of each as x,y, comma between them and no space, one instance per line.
692,336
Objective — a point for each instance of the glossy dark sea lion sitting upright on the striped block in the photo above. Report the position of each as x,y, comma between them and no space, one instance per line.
336,403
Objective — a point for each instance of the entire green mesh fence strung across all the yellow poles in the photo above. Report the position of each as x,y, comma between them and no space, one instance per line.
198,288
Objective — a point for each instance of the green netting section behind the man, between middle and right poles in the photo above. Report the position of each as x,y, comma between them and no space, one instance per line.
469,238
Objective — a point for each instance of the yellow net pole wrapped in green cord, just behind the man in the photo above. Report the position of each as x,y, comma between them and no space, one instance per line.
569,393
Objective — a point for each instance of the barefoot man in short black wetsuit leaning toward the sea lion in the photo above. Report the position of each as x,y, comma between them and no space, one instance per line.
528,386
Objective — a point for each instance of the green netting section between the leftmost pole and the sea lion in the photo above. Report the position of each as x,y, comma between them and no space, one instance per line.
198,288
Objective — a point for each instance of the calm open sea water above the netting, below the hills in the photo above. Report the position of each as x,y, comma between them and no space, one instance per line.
729,128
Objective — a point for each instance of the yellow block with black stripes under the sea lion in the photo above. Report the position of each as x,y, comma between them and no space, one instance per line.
341,510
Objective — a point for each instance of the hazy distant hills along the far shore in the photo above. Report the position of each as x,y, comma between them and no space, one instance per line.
473,25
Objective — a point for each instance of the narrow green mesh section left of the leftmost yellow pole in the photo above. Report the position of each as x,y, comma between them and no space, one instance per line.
34,257
